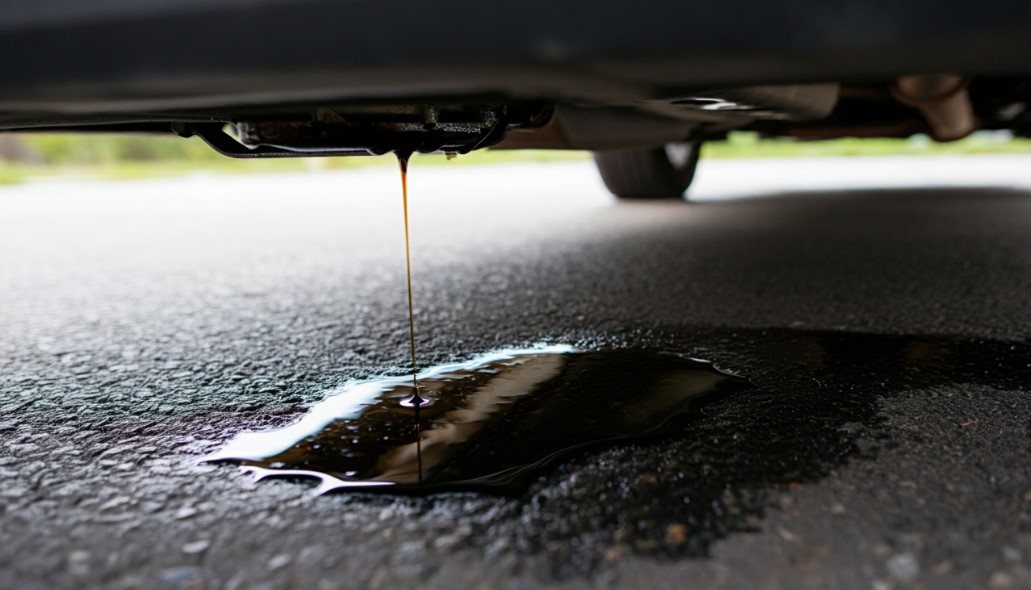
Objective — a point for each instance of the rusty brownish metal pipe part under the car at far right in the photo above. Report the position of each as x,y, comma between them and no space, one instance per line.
943,101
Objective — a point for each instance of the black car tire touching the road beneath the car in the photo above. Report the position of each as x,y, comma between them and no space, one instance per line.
655,174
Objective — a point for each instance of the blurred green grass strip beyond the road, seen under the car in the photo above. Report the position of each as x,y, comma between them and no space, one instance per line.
117,157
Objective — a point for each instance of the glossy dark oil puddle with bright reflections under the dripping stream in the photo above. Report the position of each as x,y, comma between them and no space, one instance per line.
489,423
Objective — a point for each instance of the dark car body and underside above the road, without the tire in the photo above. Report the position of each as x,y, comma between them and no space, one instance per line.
303,78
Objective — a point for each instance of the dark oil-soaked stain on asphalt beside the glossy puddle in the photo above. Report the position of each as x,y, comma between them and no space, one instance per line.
817,397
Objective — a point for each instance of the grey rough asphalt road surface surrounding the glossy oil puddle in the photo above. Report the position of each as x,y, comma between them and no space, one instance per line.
881,308
